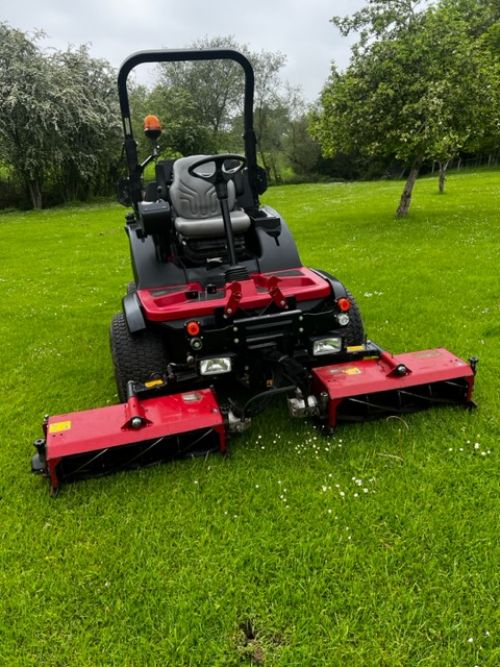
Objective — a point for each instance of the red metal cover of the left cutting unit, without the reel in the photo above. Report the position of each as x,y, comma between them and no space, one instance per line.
85,435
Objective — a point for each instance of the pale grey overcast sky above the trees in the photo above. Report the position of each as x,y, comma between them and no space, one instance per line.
300,29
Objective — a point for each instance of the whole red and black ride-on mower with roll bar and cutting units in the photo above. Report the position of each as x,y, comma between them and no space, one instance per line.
222,317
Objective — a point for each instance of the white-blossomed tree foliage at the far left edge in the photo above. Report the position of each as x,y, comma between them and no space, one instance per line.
58,124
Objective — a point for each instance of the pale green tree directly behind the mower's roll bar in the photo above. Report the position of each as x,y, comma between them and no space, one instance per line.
203,100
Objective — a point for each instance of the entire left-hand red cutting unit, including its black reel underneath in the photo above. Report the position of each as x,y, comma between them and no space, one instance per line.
131,434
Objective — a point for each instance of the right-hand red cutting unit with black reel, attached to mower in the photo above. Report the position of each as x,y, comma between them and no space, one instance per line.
393,383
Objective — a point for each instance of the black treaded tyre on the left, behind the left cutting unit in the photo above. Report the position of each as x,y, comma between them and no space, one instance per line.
139,356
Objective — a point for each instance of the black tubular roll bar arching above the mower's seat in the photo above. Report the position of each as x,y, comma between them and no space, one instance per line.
175,55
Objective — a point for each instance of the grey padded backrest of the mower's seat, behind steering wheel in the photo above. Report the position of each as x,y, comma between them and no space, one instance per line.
194,198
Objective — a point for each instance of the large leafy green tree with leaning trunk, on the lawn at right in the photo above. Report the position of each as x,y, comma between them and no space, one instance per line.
419,87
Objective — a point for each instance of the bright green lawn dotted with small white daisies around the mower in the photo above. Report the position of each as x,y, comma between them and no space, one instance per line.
376,546
